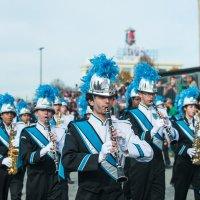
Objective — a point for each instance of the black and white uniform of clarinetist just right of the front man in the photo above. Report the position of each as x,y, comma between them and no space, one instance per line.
146,180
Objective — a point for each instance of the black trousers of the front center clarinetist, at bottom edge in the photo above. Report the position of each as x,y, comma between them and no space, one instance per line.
83,194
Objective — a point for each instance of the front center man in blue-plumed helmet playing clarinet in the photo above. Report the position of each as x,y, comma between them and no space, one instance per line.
89,148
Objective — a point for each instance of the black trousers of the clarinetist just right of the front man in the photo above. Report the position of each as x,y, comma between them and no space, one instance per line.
146,180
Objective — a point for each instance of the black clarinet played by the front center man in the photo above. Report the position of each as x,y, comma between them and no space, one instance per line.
120,171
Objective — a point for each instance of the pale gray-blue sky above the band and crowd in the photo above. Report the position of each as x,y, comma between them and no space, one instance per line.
72,31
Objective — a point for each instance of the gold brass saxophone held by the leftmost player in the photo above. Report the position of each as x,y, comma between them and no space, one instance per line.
13,152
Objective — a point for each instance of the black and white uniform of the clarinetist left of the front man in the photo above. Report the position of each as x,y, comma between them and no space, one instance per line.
42,178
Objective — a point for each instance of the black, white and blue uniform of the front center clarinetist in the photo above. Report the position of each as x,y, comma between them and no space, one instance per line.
81,153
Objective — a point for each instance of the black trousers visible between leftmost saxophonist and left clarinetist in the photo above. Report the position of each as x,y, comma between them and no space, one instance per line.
16,185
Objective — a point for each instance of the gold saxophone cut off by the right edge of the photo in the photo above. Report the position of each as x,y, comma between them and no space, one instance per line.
196,142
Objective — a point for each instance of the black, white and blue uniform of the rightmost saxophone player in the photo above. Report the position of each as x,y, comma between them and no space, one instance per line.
184,172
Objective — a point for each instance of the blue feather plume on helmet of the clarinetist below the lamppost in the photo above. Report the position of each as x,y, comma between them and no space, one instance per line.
45,91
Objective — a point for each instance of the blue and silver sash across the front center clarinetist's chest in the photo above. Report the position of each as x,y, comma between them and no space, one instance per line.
84,127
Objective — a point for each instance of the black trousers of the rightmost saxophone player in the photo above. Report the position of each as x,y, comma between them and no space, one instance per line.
185,173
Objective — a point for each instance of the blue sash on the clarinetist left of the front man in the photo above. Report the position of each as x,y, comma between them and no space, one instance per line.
39,138
